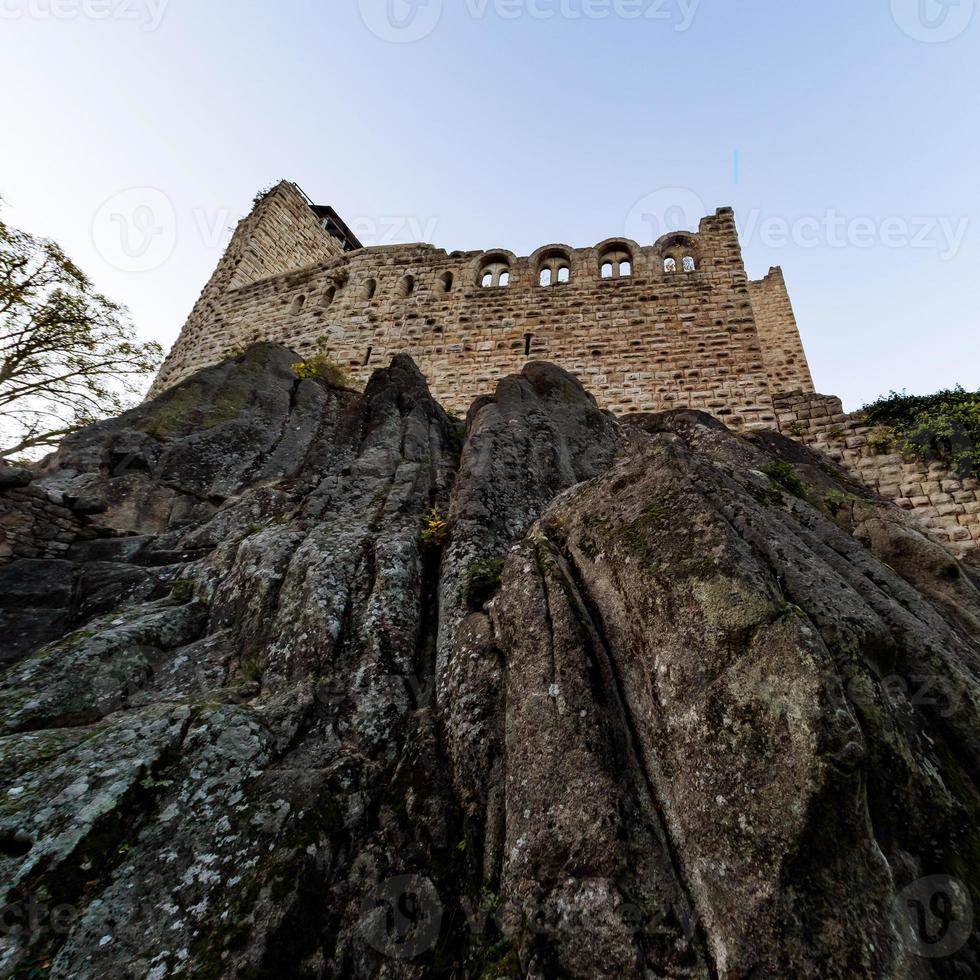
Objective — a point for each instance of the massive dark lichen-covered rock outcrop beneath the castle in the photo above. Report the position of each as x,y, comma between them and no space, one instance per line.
309,683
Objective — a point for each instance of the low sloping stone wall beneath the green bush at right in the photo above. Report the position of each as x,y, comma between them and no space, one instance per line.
948,506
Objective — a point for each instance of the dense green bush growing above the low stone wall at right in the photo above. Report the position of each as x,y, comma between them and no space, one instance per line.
942,427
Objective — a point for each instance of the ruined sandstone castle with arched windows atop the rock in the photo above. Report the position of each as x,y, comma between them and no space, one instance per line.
676,324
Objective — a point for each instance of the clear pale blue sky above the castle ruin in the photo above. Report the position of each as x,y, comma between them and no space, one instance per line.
845,135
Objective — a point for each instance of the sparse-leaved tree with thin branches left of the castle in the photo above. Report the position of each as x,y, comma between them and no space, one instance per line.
68,355
